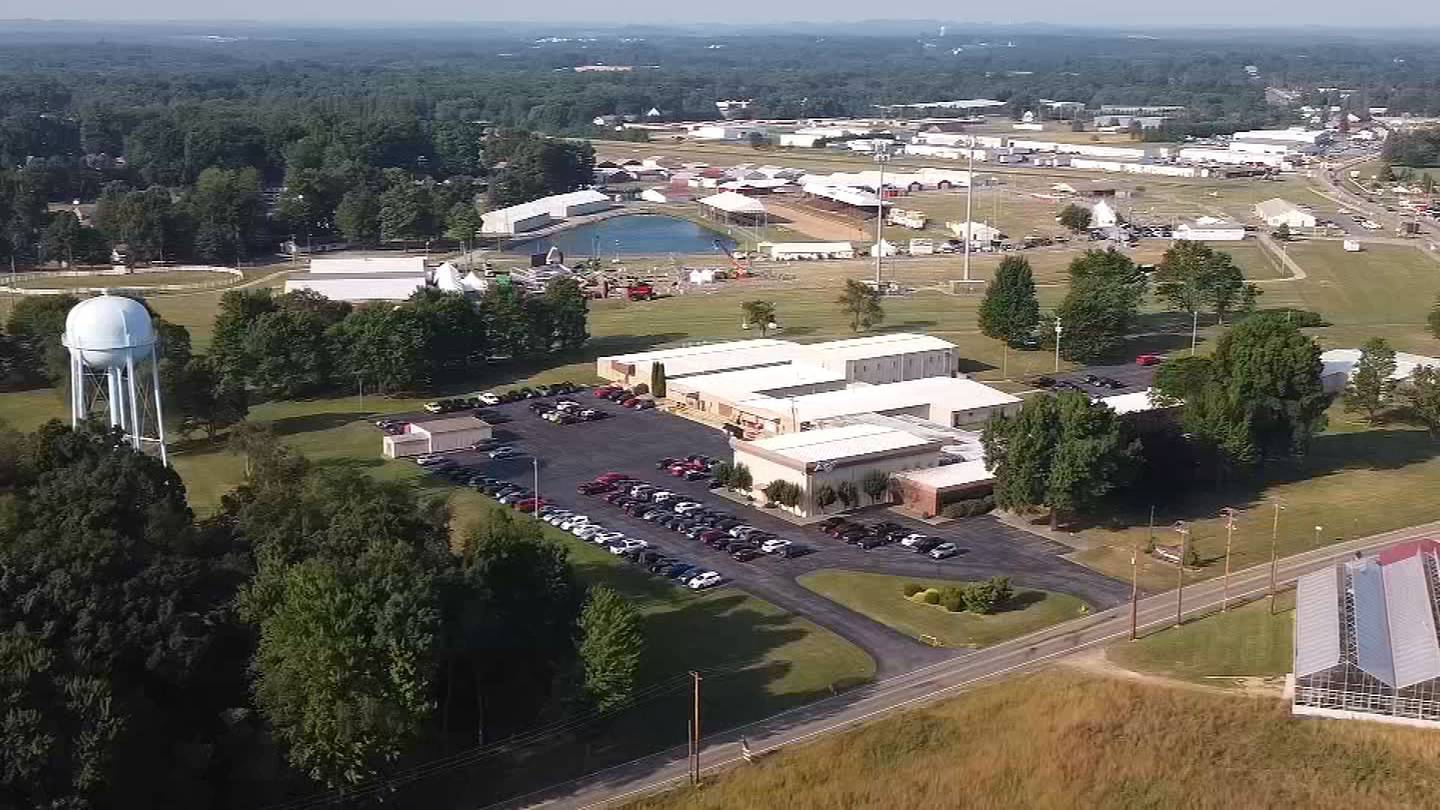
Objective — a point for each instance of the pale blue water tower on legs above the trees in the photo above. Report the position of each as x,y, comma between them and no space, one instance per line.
114,368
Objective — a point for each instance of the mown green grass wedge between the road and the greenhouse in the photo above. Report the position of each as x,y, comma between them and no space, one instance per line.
1246,642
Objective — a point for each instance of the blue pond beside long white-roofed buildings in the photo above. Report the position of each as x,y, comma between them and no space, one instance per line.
631,236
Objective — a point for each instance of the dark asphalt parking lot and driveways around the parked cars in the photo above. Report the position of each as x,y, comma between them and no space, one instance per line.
633,442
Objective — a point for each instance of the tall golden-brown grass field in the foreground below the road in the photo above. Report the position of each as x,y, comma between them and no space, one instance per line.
1058,742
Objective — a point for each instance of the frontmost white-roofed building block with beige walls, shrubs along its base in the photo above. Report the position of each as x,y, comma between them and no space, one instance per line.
832,456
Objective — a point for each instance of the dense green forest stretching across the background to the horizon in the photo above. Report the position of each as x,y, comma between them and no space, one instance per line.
186,136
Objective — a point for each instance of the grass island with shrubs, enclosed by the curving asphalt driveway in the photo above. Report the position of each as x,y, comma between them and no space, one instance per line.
881,597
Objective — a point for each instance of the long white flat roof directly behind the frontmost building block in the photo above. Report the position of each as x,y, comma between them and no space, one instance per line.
955,394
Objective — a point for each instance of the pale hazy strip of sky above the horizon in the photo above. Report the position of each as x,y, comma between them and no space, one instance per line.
1399,14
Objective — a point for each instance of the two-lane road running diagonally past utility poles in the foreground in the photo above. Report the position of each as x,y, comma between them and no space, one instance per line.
940,681
